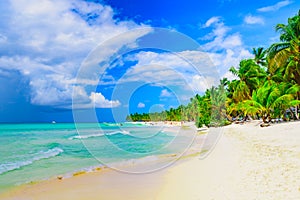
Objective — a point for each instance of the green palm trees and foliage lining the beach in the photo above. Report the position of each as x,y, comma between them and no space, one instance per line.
266,87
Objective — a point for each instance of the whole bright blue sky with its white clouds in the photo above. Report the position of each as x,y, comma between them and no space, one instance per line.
100,60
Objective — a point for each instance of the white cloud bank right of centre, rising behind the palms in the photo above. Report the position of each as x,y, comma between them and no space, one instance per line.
193,71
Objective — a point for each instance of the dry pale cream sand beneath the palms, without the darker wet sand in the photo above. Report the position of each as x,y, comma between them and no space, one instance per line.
249,162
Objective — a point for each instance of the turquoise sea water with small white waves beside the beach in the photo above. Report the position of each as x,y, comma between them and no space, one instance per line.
33,152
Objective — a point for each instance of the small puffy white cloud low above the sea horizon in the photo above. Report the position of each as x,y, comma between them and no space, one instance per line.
99,101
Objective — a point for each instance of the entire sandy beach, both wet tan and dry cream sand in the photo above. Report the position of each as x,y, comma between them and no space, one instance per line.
248,162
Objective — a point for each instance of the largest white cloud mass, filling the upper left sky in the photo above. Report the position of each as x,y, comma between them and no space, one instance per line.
48,40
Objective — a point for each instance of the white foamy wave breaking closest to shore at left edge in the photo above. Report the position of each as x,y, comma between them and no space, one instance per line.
10,166
